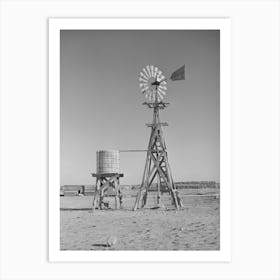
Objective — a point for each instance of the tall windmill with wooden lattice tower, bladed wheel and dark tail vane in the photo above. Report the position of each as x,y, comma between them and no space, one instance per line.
153,85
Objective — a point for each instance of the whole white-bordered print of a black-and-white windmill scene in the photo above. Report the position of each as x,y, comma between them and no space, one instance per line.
114,194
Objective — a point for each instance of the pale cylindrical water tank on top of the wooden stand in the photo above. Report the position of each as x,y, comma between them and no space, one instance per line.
107,161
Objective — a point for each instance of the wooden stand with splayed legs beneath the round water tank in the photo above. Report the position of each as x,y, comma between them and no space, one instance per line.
103,183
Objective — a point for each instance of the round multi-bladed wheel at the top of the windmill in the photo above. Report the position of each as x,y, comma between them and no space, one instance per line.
152,83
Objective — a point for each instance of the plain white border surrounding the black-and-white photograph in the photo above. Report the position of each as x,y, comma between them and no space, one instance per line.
55,25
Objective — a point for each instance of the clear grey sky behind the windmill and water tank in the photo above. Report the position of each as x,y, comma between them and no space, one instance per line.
101,102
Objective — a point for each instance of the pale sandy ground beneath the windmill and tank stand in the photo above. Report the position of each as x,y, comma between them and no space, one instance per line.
196,227
